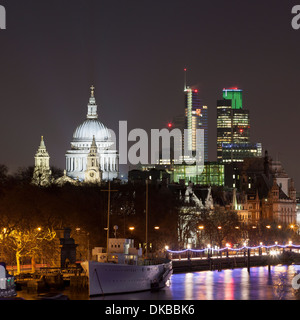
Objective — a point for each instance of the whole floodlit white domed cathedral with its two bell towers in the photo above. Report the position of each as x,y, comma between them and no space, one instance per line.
91,159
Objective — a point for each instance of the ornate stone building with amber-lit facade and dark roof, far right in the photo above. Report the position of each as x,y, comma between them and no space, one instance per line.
265,192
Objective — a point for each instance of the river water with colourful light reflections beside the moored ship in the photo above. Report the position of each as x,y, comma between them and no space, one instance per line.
229,284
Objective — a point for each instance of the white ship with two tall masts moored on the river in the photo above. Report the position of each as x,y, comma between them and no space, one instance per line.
122,269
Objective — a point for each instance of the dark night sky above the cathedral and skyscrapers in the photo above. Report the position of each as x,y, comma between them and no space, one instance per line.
134,52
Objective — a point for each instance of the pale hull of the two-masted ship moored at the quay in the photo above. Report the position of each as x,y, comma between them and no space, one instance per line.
110,278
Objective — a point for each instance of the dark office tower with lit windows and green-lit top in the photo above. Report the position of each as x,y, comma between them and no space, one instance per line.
233,129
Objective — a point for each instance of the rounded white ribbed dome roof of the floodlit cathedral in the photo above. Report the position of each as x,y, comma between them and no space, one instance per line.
90,128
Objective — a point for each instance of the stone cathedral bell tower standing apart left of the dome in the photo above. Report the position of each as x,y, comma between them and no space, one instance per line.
42,172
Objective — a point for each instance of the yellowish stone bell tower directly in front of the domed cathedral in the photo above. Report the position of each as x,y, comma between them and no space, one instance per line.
93,173
